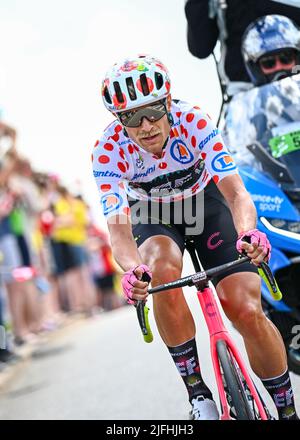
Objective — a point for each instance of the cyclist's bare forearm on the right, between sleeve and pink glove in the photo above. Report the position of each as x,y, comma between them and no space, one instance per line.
243,212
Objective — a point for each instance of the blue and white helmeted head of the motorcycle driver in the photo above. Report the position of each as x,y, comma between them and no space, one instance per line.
271,49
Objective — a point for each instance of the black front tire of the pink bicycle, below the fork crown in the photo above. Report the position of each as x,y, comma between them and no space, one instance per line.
233,383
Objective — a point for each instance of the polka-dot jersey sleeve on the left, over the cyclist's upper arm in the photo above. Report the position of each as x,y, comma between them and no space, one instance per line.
110,173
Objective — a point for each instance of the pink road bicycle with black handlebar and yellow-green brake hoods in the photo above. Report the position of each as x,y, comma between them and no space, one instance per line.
239,397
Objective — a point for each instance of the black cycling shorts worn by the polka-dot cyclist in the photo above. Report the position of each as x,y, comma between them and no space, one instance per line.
215,244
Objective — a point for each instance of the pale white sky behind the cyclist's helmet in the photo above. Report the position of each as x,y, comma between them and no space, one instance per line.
54,55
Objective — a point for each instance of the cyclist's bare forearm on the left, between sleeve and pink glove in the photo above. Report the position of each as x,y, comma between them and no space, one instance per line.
124,247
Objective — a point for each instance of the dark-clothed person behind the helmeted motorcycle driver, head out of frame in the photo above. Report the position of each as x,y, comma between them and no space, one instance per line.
210,21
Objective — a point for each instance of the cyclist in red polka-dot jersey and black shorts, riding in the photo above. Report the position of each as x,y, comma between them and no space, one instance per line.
167,151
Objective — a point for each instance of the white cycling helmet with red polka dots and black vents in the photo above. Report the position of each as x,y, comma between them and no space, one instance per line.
134,83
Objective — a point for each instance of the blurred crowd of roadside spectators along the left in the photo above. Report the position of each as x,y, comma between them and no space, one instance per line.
54,262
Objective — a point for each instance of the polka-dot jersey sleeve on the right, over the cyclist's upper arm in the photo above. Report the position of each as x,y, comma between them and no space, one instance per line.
206,138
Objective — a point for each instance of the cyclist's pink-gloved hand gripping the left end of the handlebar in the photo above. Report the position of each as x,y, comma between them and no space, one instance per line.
134,288
